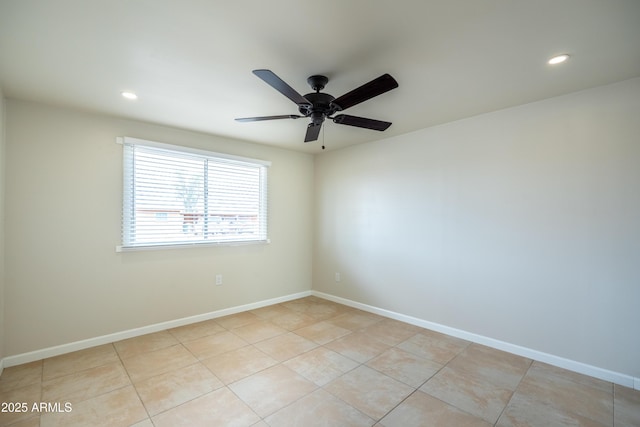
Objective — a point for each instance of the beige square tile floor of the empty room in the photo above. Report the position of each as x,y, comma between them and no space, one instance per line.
307,362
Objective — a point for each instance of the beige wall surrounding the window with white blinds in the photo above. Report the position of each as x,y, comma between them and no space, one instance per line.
64,280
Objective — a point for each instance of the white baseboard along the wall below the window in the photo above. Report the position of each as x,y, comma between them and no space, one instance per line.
107,339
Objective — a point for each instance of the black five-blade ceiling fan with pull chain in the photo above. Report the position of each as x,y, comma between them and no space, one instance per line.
320,106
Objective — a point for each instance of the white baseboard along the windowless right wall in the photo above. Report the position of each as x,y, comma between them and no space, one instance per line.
571,365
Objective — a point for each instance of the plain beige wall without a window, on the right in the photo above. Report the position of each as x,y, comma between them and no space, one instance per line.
521,225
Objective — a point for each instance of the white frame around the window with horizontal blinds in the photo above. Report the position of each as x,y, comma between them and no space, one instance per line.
128,195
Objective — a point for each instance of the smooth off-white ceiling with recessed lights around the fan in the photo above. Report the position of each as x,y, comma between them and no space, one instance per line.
190,61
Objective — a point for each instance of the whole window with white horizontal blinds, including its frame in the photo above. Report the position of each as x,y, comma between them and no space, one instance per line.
179,196
